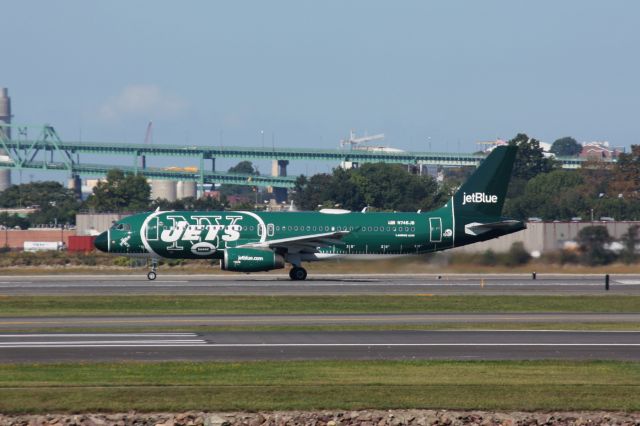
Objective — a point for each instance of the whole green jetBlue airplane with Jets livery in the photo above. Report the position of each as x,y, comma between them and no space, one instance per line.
252,241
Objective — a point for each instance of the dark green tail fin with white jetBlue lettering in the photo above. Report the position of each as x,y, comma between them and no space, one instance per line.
485,191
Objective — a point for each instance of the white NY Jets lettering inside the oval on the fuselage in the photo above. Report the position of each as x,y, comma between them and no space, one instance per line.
214,229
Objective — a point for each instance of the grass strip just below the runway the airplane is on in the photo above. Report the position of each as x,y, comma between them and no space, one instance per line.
131,305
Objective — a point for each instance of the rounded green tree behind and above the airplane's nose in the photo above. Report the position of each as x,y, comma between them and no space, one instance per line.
120,192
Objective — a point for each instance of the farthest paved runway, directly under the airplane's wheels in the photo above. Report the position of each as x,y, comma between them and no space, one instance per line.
356,284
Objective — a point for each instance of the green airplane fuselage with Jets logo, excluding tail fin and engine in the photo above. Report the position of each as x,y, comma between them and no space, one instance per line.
181,234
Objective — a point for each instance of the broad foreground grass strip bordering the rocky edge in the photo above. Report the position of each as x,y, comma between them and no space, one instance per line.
306,385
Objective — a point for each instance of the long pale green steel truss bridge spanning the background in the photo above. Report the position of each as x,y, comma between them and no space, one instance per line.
47,151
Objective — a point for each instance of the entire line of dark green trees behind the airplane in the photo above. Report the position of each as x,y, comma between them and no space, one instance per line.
538,188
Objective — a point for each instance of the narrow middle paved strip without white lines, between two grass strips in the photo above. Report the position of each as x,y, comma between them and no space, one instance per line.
176,321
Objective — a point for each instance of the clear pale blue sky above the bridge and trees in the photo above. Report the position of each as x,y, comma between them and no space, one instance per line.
307,72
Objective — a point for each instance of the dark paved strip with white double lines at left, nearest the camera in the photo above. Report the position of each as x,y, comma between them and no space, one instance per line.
238,346
